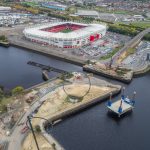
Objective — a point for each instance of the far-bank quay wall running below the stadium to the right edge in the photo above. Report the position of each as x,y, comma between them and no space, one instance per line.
75,60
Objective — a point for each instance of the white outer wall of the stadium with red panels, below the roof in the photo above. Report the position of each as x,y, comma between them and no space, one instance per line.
66,43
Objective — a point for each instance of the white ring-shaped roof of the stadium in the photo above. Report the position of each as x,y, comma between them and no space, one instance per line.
90,28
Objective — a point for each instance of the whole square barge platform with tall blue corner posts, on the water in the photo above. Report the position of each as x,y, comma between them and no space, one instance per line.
121,106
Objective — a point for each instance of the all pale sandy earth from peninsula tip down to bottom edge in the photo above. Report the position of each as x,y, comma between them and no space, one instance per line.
56,103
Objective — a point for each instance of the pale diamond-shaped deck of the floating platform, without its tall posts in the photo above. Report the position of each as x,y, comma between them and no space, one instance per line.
115,107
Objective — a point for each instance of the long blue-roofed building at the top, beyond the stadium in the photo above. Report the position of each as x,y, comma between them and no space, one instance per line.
54,5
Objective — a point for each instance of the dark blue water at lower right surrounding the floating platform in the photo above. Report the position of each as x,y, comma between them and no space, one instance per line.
95,129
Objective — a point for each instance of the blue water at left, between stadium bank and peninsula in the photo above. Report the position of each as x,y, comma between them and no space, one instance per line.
14,70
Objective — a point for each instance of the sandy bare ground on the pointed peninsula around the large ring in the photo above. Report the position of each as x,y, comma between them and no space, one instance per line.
56,101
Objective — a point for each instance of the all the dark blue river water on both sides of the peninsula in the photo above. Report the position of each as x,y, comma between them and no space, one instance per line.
93,129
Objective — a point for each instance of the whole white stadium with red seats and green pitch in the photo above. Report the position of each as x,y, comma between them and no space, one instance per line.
65,34
